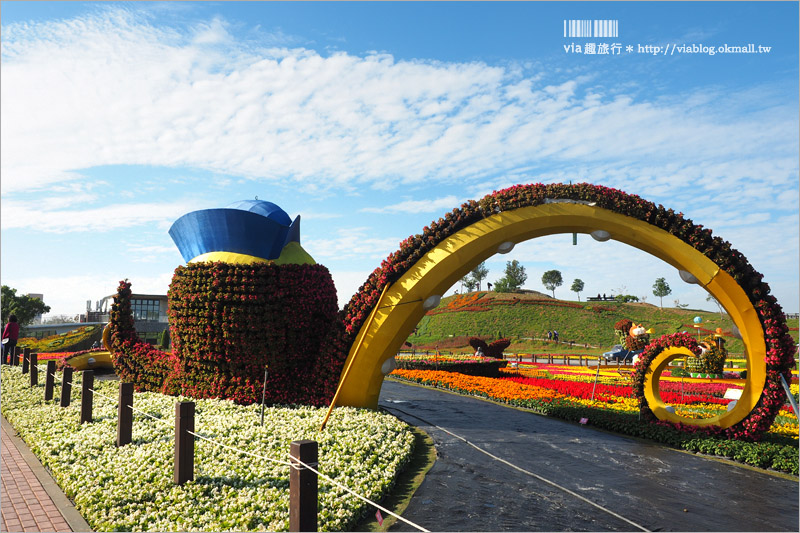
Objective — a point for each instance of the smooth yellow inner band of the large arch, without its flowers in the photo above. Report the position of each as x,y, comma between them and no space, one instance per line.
400,308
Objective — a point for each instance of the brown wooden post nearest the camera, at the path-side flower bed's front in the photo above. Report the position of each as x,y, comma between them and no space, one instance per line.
303,486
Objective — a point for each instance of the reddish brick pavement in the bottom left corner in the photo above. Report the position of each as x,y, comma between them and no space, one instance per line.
31,500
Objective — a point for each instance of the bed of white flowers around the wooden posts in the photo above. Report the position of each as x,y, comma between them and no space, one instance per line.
131,488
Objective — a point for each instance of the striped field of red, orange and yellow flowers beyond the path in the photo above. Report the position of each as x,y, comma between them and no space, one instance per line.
566,392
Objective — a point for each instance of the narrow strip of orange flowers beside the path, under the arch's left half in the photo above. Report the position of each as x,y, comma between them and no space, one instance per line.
496,389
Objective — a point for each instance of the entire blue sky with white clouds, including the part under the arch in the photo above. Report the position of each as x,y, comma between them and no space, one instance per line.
370,120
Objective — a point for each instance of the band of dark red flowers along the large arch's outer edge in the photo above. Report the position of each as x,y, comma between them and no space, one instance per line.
780,346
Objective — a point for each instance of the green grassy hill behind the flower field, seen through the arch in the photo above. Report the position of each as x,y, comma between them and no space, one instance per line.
524,318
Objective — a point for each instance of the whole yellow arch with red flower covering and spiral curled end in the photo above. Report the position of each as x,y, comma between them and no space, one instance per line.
386,308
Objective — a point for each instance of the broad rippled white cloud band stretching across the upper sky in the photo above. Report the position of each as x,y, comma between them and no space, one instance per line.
113,89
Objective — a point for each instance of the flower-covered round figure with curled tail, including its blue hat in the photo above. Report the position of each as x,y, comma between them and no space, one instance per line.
250,298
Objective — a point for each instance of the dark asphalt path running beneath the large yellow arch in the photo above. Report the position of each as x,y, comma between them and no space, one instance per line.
552,475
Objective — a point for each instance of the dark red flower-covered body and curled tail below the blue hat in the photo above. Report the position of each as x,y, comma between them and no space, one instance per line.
230,322
